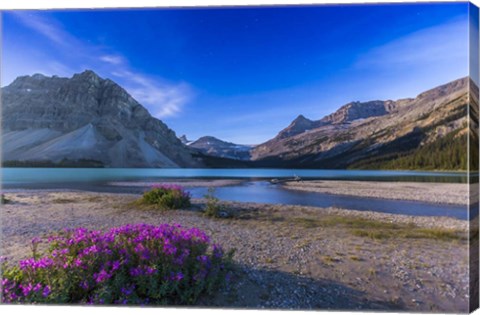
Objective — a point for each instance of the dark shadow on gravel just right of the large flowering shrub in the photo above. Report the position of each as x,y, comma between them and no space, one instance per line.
269,289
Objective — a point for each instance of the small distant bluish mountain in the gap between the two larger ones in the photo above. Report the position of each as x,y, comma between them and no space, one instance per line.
212,146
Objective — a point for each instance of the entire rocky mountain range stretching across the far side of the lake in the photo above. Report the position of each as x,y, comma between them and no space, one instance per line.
89,121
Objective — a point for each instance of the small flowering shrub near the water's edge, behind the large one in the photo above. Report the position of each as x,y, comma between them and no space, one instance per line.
167,197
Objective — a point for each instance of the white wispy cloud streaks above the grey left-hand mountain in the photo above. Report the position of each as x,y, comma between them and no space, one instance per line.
161,97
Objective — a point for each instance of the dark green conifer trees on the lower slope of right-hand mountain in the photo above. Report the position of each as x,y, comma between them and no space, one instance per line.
447,153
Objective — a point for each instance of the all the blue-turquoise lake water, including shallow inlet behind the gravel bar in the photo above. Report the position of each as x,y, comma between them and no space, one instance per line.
255,188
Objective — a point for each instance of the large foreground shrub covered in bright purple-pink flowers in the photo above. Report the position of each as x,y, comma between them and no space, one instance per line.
133,264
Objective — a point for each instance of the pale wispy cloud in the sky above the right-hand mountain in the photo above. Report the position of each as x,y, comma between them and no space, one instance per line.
409,65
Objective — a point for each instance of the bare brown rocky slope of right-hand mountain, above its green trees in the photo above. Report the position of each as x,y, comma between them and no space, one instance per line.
389,128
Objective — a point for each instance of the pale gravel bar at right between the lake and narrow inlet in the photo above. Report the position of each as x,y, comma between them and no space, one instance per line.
447,193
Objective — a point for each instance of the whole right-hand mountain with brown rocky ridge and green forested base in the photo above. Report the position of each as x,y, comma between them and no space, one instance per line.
428,132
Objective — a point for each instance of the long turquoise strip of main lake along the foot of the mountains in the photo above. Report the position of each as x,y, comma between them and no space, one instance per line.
52,175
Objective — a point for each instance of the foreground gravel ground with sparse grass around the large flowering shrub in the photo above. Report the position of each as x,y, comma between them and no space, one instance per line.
287,257
